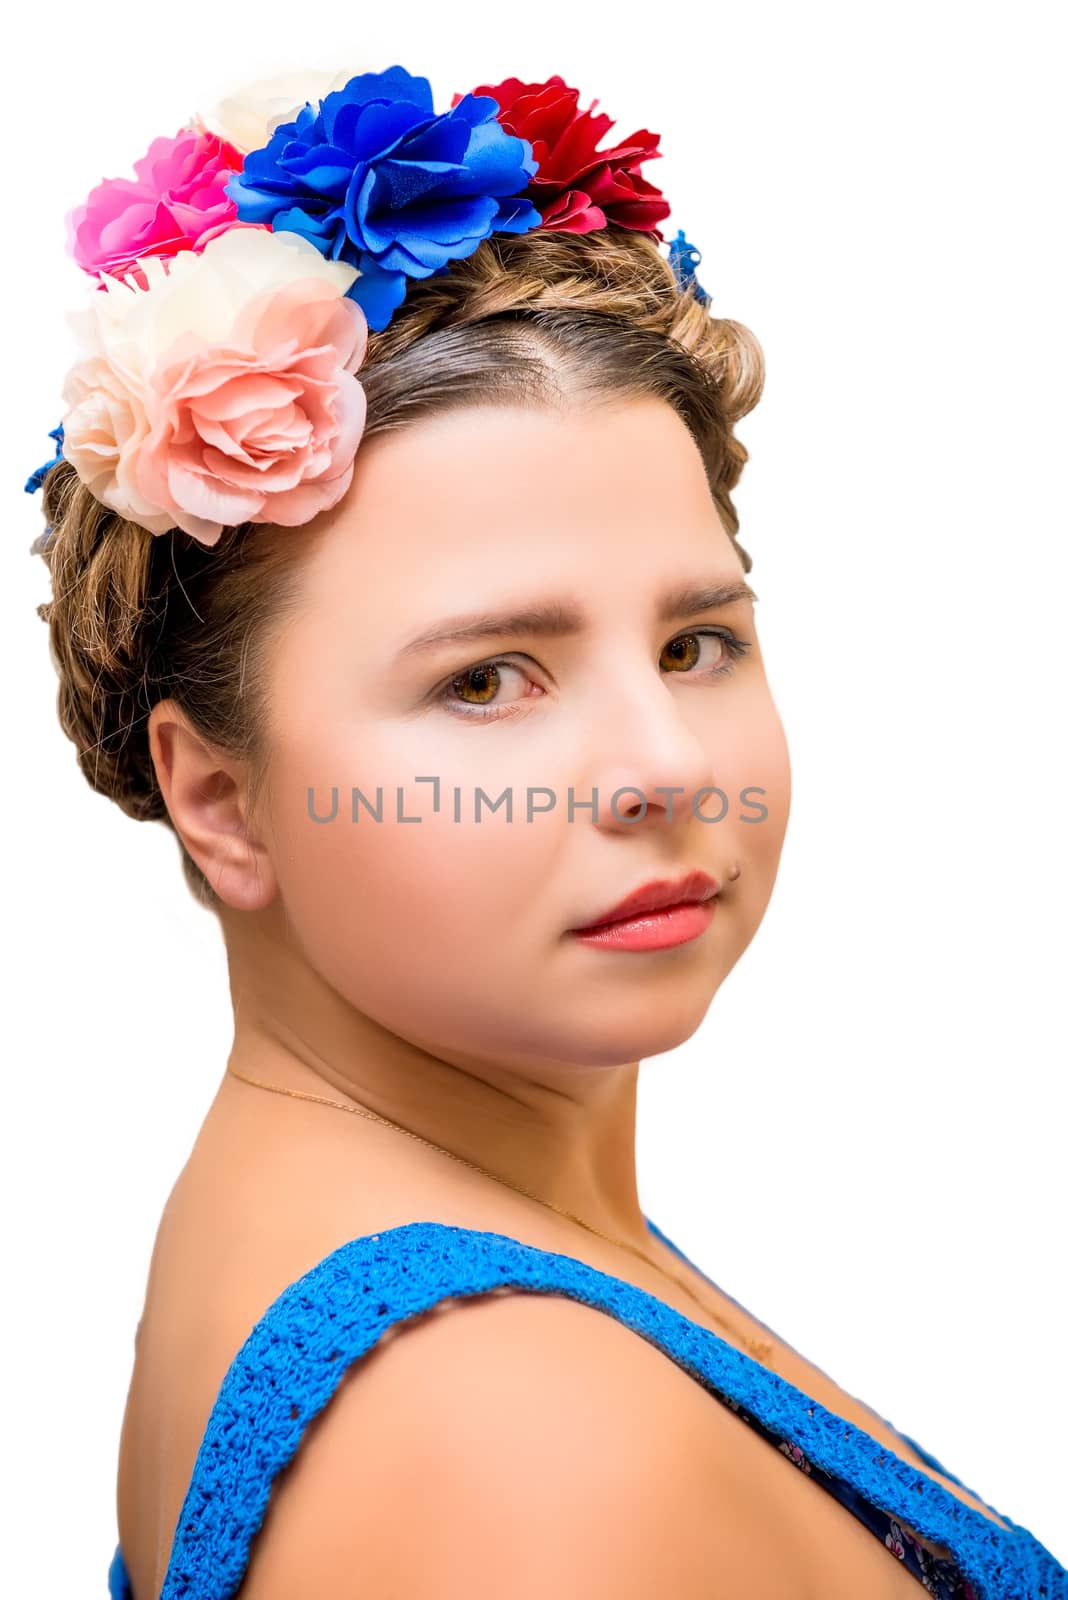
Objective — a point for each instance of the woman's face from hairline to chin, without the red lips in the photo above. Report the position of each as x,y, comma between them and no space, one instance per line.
453,930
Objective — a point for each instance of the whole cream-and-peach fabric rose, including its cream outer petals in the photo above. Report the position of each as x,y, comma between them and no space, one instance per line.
225,391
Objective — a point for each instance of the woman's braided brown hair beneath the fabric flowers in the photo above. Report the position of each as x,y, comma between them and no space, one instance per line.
543,319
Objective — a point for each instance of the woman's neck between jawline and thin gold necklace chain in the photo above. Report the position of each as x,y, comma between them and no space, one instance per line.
559,1132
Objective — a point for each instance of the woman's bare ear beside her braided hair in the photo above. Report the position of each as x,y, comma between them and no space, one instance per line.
207,798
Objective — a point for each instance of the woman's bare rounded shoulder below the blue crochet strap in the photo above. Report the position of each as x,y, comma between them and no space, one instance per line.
517,1434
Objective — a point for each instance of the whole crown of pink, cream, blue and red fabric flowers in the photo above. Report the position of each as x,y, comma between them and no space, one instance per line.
236,279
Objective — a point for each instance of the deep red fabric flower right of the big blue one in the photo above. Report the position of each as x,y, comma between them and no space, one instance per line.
580,188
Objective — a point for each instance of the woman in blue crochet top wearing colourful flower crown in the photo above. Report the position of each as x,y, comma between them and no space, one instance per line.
397,570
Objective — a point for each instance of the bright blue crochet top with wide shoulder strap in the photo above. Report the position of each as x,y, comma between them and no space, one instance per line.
298,1353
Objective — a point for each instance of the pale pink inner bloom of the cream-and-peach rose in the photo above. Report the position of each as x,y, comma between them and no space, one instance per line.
261,426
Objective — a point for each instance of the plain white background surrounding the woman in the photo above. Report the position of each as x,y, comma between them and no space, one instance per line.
866,1140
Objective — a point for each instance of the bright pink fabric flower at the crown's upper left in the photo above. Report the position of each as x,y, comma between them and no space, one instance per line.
177,202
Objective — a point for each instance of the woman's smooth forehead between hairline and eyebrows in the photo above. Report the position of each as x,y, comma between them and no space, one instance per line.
471,503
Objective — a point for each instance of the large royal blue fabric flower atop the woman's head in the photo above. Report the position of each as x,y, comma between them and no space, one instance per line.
377,178
